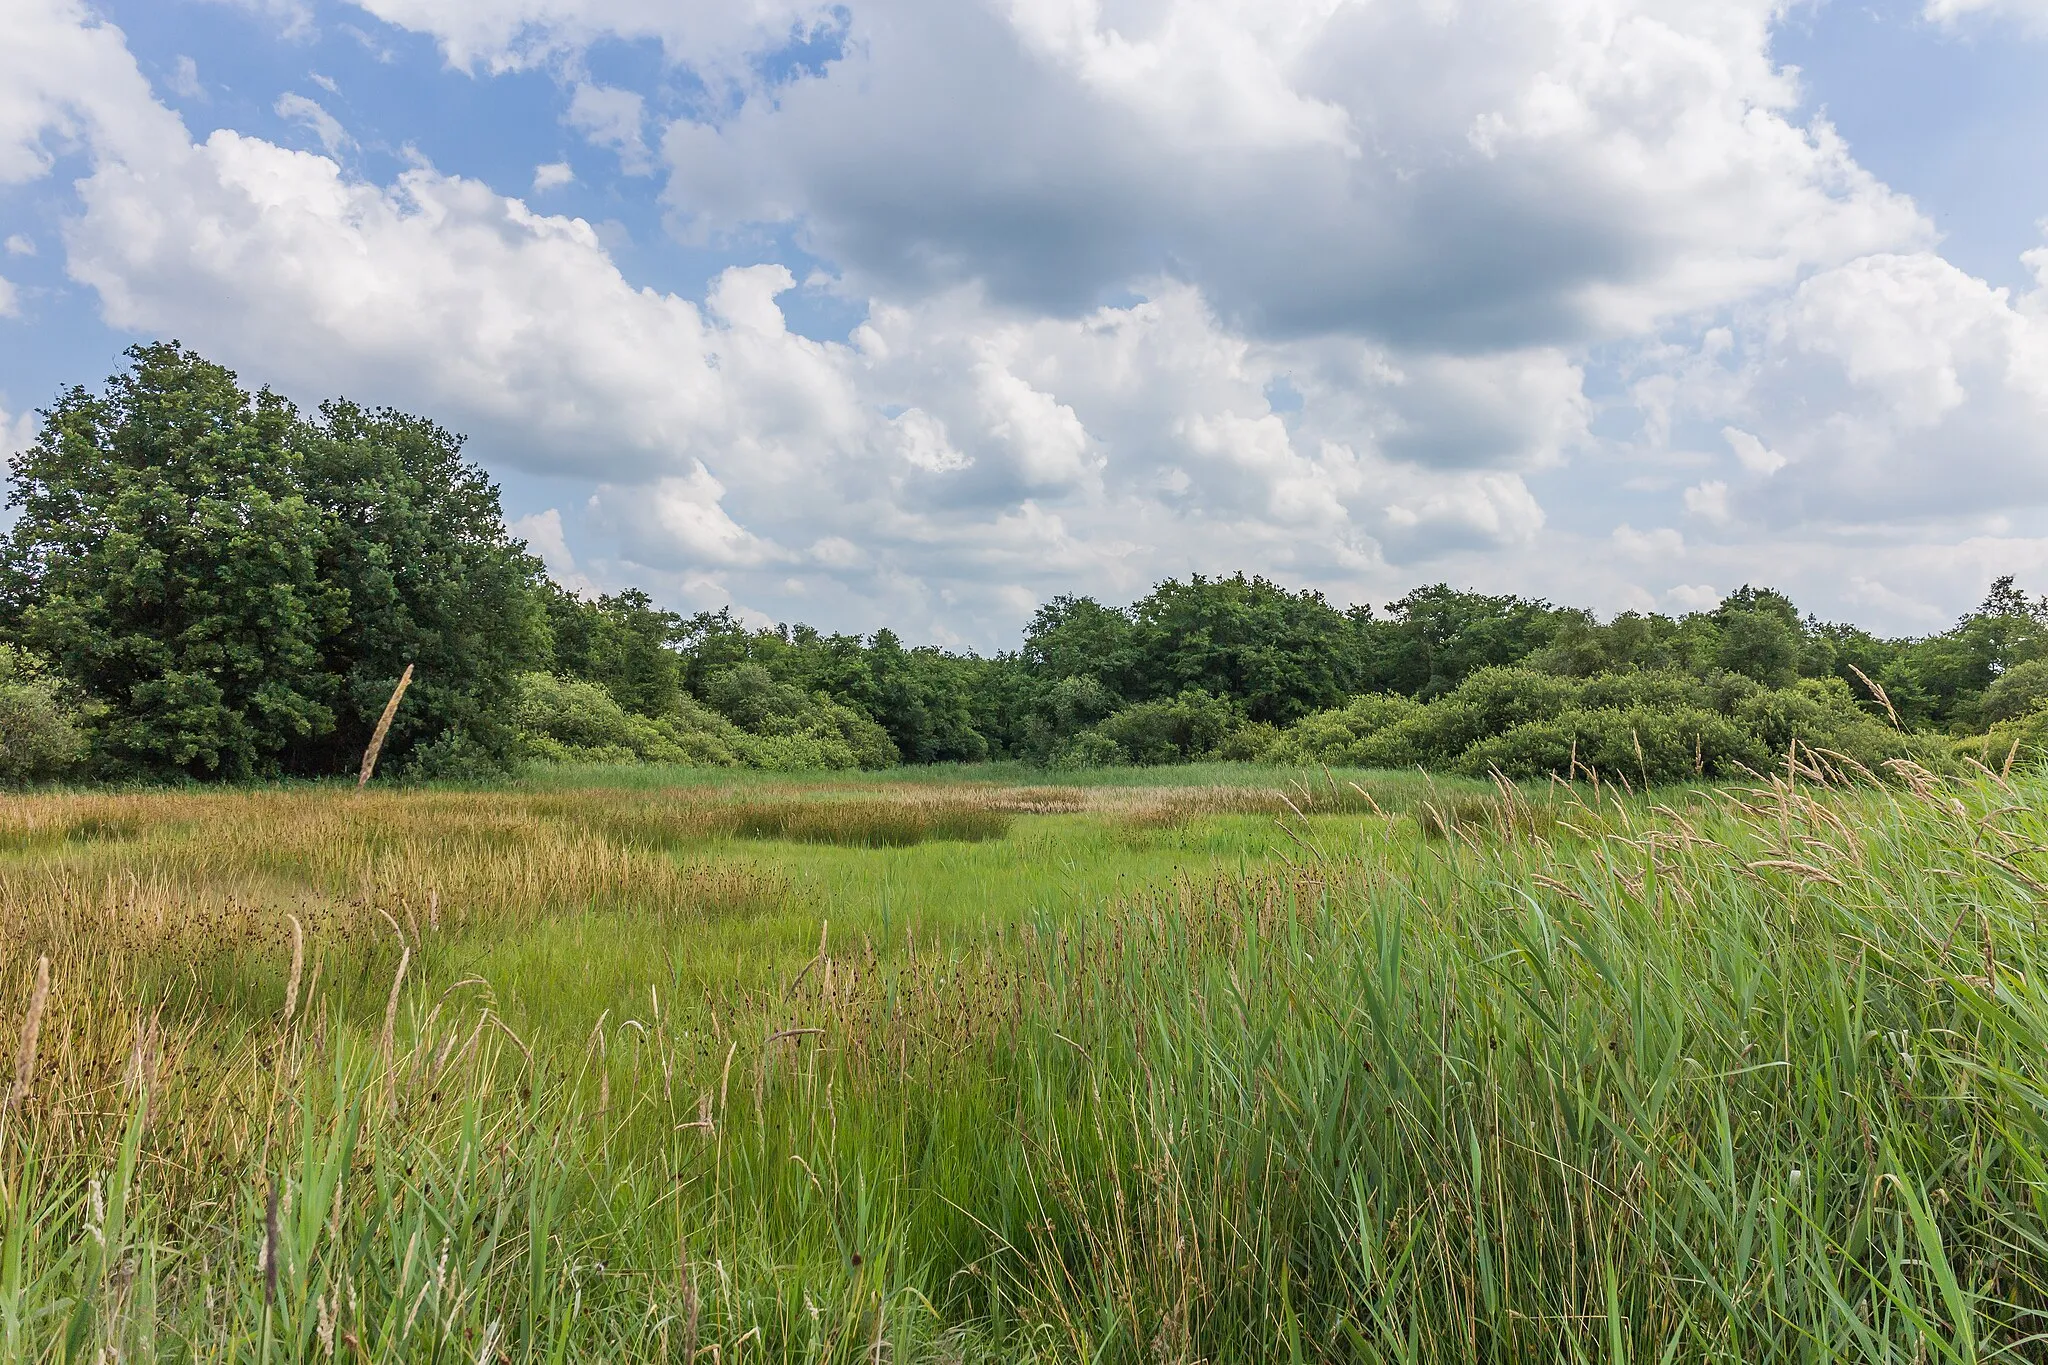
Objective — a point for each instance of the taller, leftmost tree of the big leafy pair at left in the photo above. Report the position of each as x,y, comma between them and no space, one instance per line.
167,562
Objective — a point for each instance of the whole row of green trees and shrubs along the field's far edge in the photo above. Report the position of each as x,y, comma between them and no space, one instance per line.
210,584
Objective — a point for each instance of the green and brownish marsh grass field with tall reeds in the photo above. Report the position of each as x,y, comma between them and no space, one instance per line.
990,1065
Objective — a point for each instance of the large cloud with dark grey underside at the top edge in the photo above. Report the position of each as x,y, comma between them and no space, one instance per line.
1449,175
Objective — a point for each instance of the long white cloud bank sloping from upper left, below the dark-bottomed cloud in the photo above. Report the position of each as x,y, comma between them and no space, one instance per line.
949,437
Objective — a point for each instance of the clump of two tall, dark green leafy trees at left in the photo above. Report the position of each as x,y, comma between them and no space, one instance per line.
239,588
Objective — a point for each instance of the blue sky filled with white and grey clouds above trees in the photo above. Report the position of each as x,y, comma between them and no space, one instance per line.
925,312
